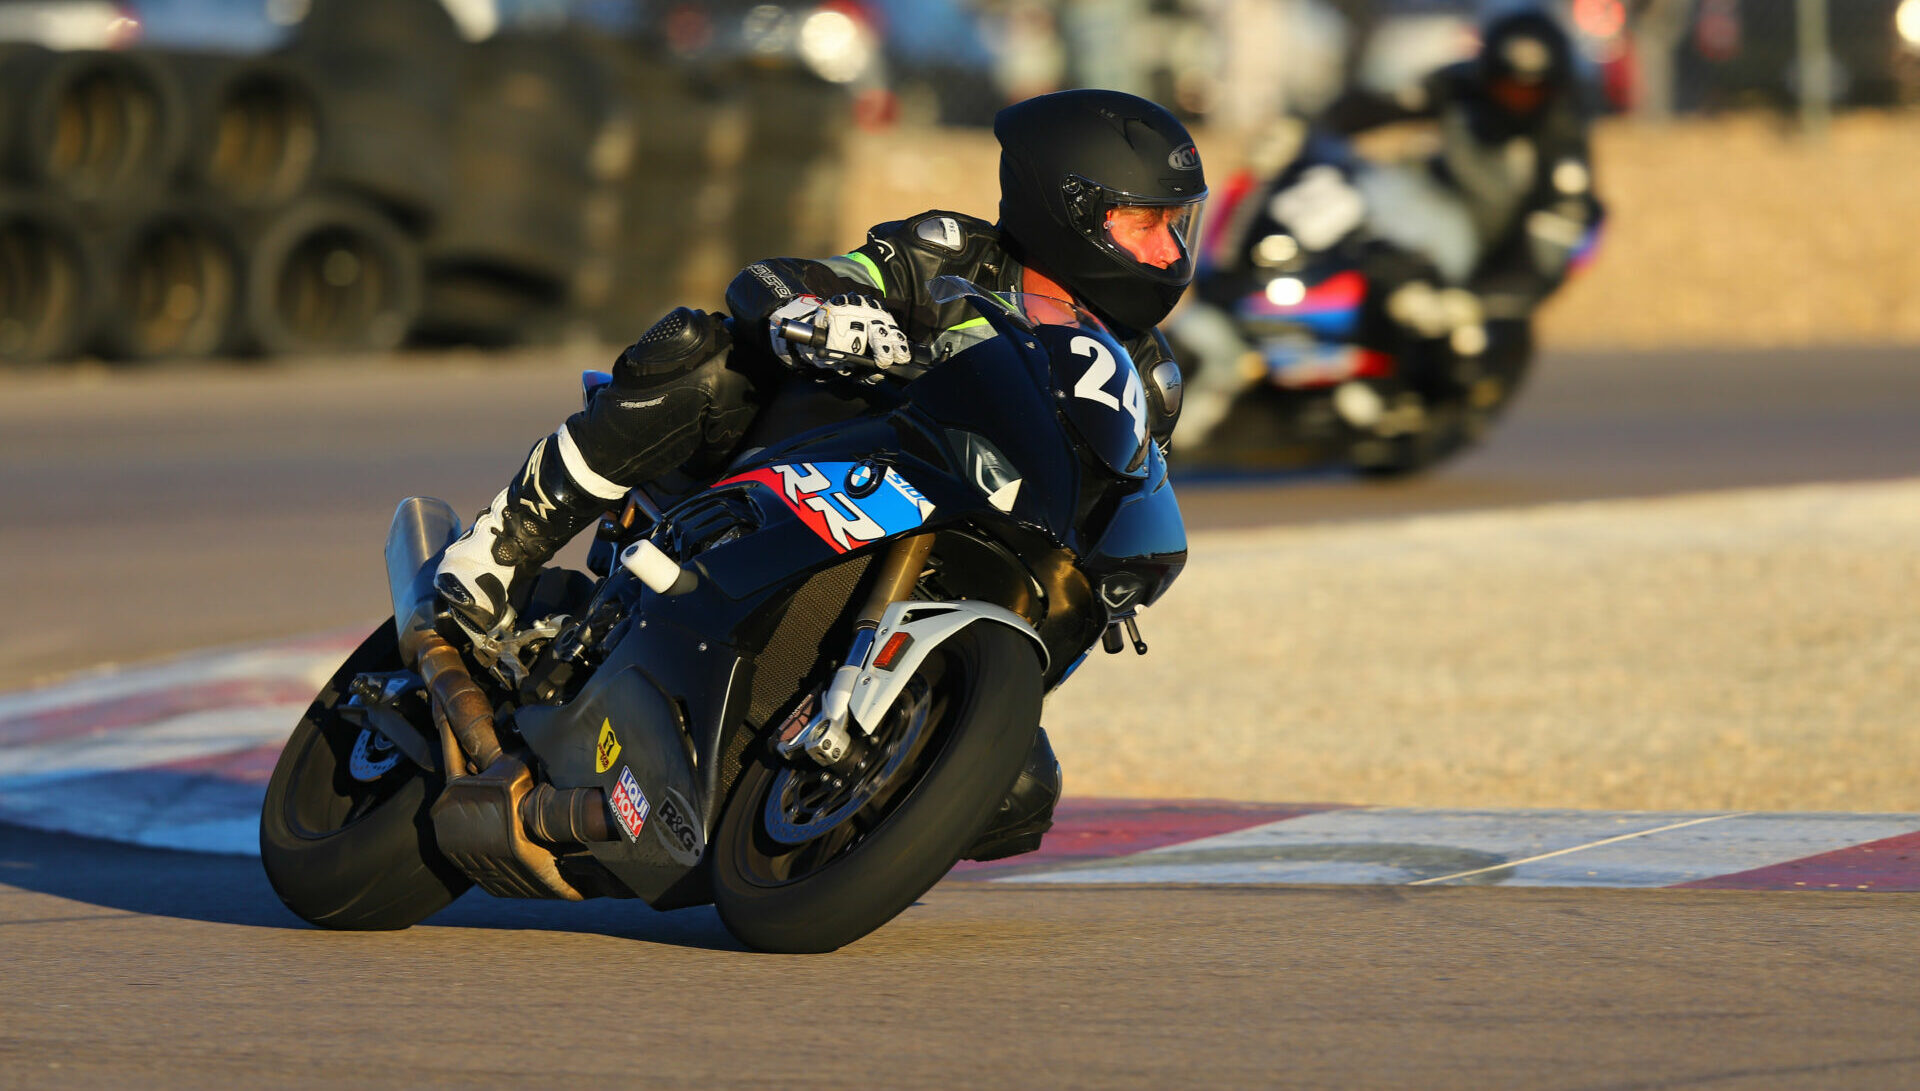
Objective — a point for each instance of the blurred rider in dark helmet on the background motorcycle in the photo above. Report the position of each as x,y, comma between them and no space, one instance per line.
1481,231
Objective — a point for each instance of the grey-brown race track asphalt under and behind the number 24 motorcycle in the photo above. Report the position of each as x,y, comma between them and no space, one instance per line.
145,514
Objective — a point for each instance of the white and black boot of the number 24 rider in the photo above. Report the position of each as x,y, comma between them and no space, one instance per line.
552,498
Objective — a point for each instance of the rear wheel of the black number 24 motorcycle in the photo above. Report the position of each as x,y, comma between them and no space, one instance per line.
345,835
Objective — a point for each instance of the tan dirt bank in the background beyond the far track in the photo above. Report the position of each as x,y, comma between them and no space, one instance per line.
1723,231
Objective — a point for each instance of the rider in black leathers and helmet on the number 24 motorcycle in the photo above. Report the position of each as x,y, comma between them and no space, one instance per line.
1099,203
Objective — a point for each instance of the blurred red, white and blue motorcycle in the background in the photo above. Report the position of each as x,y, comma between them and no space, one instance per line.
1324,331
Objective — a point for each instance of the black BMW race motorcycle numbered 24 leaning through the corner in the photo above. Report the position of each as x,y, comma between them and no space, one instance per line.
800,692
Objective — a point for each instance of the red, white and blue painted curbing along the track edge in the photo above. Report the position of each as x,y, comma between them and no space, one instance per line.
178,756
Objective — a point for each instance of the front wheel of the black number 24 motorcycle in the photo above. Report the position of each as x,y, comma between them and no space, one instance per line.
811,860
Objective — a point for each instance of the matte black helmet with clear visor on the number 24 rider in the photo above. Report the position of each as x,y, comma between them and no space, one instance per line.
1068,162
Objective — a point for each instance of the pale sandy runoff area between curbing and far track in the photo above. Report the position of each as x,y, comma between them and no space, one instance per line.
1742,650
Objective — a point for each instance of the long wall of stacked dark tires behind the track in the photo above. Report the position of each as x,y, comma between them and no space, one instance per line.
379,180
